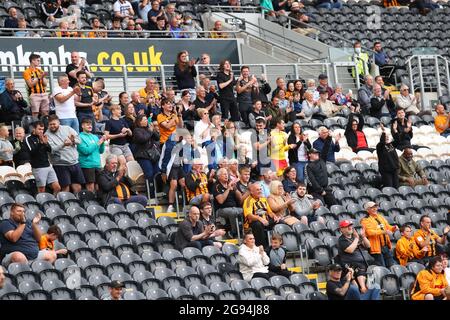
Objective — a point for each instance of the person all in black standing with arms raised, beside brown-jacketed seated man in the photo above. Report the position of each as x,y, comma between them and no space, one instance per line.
388,163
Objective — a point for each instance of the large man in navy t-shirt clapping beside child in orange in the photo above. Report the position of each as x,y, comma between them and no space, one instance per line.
19,238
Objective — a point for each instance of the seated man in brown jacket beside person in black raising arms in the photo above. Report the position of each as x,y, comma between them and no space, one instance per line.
410,171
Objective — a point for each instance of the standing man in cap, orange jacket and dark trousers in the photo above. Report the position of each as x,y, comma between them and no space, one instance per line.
378,231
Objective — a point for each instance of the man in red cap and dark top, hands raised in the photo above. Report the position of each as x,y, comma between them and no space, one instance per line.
349,251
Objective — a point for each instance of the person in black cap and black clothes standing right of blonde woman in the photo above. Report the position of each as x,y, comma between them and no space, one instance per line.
316,175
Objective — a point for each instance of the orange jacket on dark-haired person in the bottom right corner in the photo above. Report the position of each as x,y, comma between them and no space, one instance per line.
428,282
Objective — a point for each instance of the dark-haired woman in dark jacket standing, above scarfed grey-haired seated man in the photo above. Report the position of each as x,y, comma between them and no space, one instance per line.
145,138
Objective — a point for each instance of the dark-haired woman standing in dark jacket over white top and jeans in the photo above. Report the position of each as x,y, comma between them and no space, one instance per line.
298,156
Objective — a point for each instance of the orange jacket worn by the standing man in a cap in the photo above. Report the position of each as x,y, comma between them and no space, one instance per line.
375,232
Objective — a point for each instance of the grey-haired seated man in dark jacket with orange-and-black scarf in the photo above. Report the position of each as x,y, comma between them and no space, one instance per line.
114,186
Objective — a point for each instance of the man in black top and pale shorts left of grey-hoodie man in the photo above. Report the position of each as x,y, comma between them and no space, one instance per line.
37,145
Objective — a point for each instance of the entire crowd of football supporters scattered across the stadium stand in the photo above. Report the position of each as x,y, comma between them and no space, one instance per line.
192,136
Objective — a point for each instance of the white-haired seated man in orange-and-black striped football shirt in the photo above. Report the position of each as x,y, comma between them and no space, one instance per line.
197,184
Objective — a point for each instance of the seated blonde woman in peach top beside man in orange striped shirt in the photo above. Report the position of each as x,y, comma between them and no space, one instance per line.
280,202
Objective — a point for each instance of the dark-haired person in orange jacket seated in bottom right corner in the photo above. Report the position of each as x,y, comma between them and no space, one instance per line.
430,282
